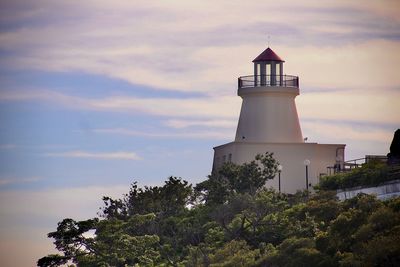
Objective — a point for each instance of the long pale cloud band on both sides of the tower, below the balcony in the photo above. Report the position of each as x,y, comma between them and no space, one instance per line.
347,105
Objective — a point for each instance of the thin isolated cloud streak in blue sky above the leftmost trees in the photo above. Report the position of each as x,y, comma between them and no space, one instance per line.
96,155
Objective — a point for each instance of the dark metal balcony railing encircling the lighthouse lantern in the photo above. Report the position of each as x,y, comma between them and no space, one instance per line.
268,80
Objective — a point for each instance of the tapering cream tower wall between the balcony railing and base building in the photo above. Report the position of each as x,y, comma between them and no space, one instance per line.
269,115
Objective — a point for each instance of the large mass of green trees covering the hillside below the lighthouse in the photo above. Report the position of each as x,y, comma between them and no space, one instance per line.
231,220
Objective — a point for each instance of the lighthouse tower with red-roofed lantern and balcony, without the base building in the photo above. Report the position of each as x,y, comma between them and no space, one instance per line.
268,111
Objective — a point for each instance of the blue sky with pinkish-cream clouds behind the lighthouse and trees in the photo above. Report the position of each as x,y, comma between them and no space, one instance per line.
95,95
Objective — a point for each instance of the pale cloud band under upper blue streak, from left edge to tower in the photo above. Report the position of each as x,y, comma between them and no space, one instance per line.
201,107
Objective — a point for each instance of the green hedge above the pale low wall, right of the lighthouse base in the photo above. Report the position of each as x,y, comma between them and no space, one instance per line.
372,173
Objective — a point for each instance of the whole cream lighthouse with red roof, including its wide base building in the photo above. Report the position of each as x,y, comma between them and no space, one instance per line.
269,122
